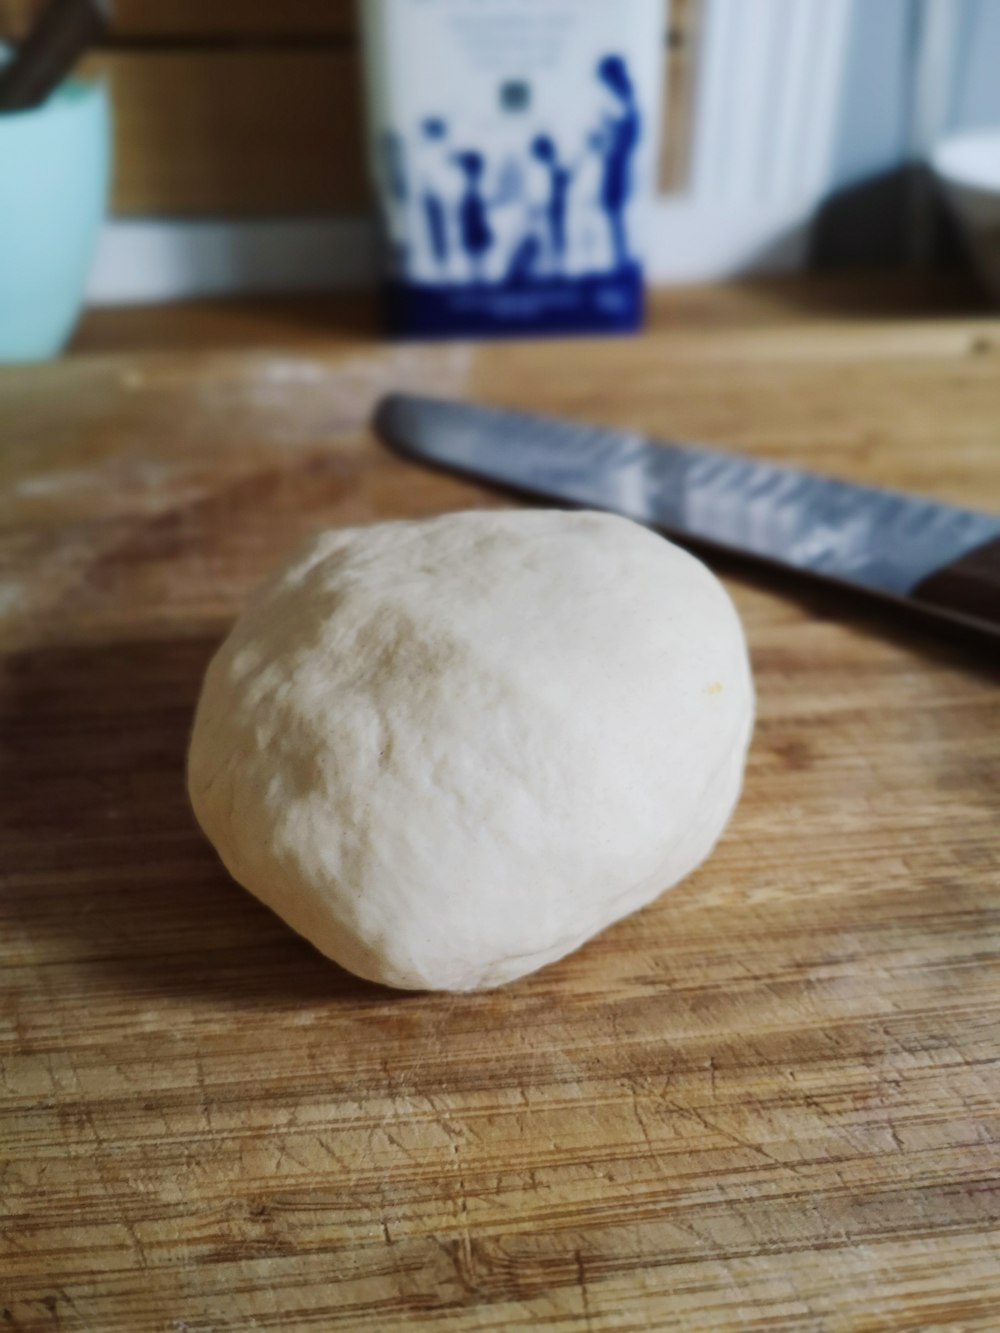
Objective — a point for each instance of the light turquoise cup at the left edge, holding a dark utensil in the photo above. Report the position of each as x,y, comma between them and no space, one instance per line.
55,165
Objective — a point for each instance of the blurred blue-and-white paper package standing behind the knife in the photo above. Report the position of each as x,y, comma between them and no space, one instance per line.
514,150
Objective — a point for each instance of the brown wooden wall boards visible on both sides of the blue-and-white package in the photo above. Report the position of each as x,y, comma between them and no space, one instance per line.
250,110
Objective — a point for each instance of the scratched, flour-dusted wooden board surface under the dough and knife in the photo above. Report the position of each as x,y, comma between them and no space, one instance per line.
771,1100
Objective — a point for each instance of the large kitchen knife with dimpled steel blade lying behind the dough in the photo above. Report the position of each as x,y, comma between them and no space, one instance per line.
934,557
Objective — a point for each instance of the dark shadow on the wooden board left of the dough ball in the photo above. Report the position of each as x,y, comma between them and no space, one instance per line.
105,866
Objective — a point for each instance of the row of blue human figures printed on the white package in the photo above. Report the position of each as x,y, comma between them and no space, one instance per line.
546,214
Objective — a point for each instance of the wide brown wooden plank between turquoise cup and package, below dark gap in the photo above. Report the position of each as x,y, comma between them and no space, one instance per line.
235,133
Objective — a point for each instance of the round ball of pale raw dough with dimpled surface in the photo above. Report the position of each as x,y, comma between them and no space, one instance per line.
449,752
